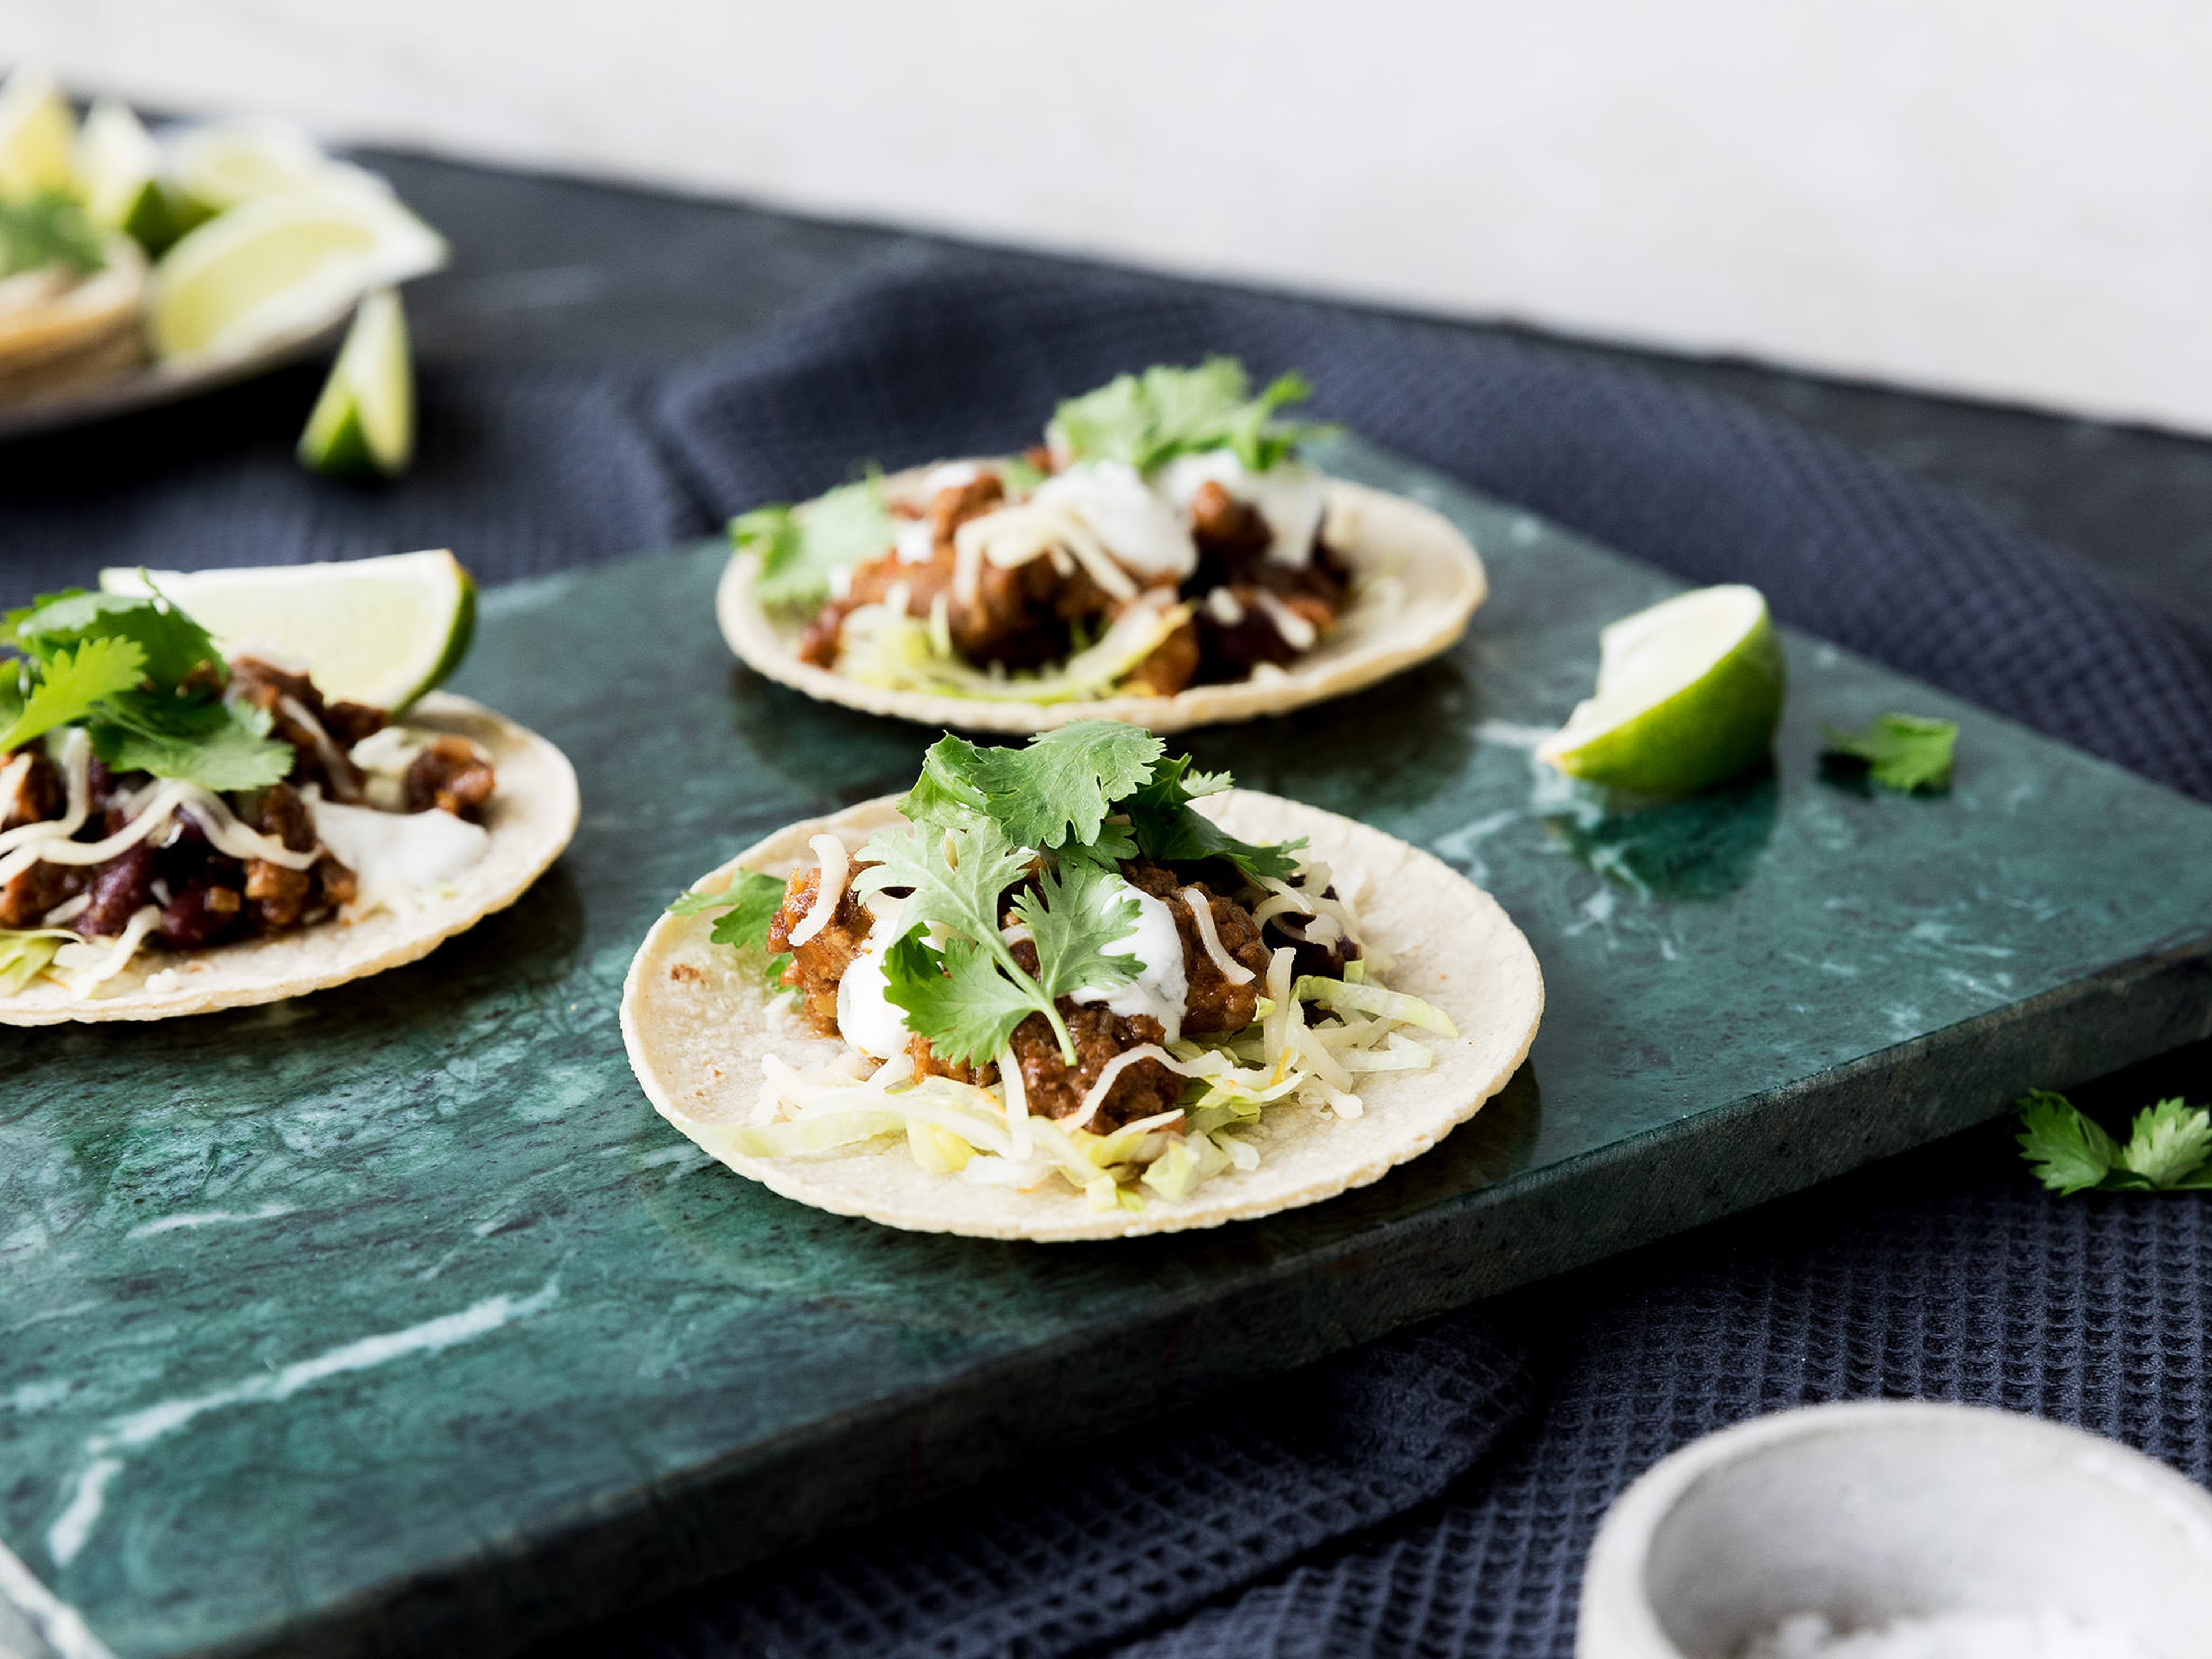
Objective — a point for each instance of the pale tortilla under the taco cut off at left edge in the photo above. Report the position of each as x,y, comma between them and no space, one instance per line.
532,817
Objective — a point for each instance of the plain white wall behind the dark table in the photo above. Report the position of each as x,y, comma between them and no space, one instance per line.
2001,198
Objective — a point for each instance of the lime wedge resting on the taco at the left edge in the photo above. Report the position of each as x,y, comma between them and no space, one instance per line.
371,632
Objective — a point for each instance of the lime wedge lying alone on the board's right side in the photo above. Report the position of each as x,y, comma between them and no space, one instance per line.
1689,696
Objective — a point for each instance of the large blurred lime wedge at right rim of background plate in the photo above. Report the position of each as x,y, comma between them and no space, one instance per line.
284,267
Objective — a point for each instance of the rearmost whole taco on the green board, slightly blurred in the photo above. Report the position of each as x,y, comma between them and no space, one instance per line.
1167,556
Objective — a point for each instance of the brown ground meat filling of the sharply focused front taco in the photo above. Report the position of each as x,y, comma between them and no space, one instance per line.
1052,1085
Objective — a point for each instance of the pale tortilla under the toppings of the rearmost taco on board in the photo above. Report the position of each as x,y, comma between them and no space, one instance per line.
1441,585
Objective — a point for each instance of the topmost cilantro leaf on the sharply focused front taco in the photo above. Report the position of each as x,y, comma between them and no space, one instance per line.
1054,793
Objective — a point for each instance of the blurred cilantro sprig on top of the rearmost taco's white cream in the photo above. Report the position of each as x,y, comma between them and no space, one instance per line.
1151,419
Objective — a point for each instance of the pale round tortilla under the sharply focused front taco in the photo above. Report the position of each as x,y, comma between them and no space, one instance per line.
698,1023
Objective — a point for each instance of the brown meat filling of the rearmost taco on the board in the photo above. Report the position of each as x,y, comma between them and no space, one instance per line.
1041,612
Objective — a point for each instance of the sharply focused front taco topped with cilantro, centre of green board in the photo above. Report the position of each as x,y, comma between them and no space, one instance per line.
1076,992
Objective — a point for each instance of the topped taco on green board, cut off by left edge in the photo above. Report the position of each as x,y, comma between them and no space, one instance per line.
187,831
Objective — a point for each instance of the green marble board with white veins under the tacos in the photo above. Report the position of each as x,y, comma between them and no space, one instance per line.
395,1322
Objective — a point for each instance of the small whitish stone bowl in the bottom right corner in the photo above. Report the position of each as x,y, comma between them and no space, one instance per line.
1890,1510
